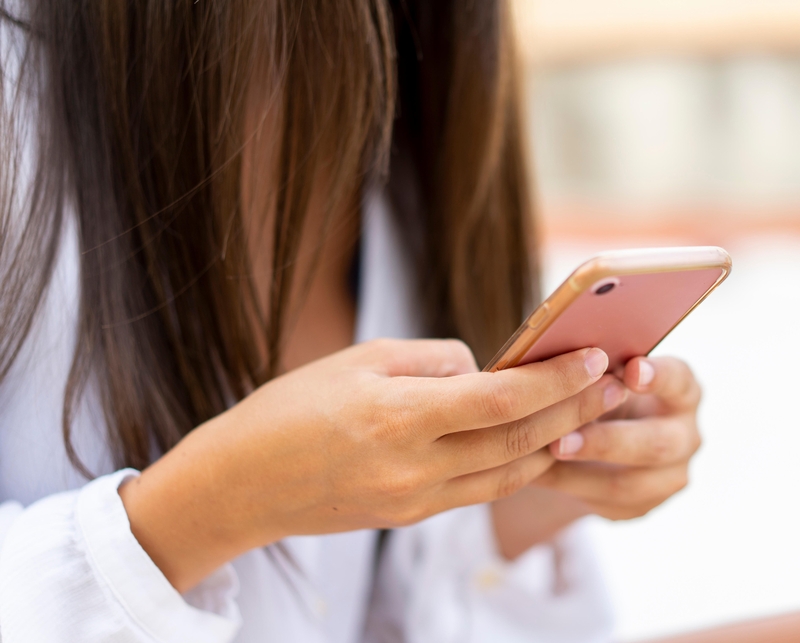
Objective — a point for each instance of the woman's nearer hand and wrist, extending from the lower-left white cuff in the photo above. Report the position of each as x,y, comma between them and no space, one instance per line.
379,435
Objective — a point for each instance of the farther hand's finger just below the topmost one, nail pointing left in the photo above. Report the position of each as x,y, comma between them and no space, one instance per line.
651,442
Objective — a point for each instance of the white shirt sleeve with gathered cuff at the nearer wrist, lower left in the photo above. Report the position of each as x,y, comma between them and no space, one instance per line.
72,571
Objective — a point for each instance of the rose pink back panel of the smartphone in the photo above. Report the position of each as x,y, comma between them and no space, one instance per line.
627,321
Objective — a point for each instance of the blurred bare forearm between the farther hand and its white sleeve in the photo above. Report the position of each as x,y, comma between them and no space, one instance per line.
532,516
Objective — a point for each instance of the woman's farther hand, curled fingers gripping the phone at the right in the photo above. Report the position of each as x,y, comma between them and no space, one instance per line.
633,460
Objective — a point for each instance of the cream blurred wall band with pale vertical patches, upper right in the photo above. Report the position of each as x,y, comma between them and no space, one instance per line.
670,131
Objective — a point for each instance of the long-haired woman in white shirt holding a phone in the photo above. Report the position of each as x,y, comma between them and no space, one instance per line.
181,209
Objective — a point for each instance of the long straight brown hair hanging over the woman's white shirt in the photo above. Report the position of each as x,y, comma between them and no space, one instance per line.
141,129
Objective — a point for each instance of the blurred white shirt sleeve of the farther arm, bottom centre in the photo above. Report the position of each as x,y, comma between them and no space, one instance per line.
444,581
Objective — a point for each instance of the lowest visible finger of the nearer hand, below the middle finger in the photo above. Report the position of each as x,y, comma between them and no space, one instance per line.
500,482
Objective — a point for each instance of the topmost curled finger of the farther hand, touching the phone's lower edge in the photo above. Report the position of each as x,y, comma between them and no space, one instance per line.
668,378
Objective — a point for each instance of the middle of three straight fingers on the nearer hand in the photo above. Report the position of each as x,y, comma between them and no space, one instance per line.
470,451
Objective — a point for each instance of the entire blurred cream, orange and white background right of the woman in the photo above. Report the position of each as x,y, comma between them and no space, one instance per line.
668,122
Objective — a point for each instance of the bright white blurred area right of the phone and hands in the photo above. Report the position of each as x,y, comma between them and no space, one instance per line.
728,547
